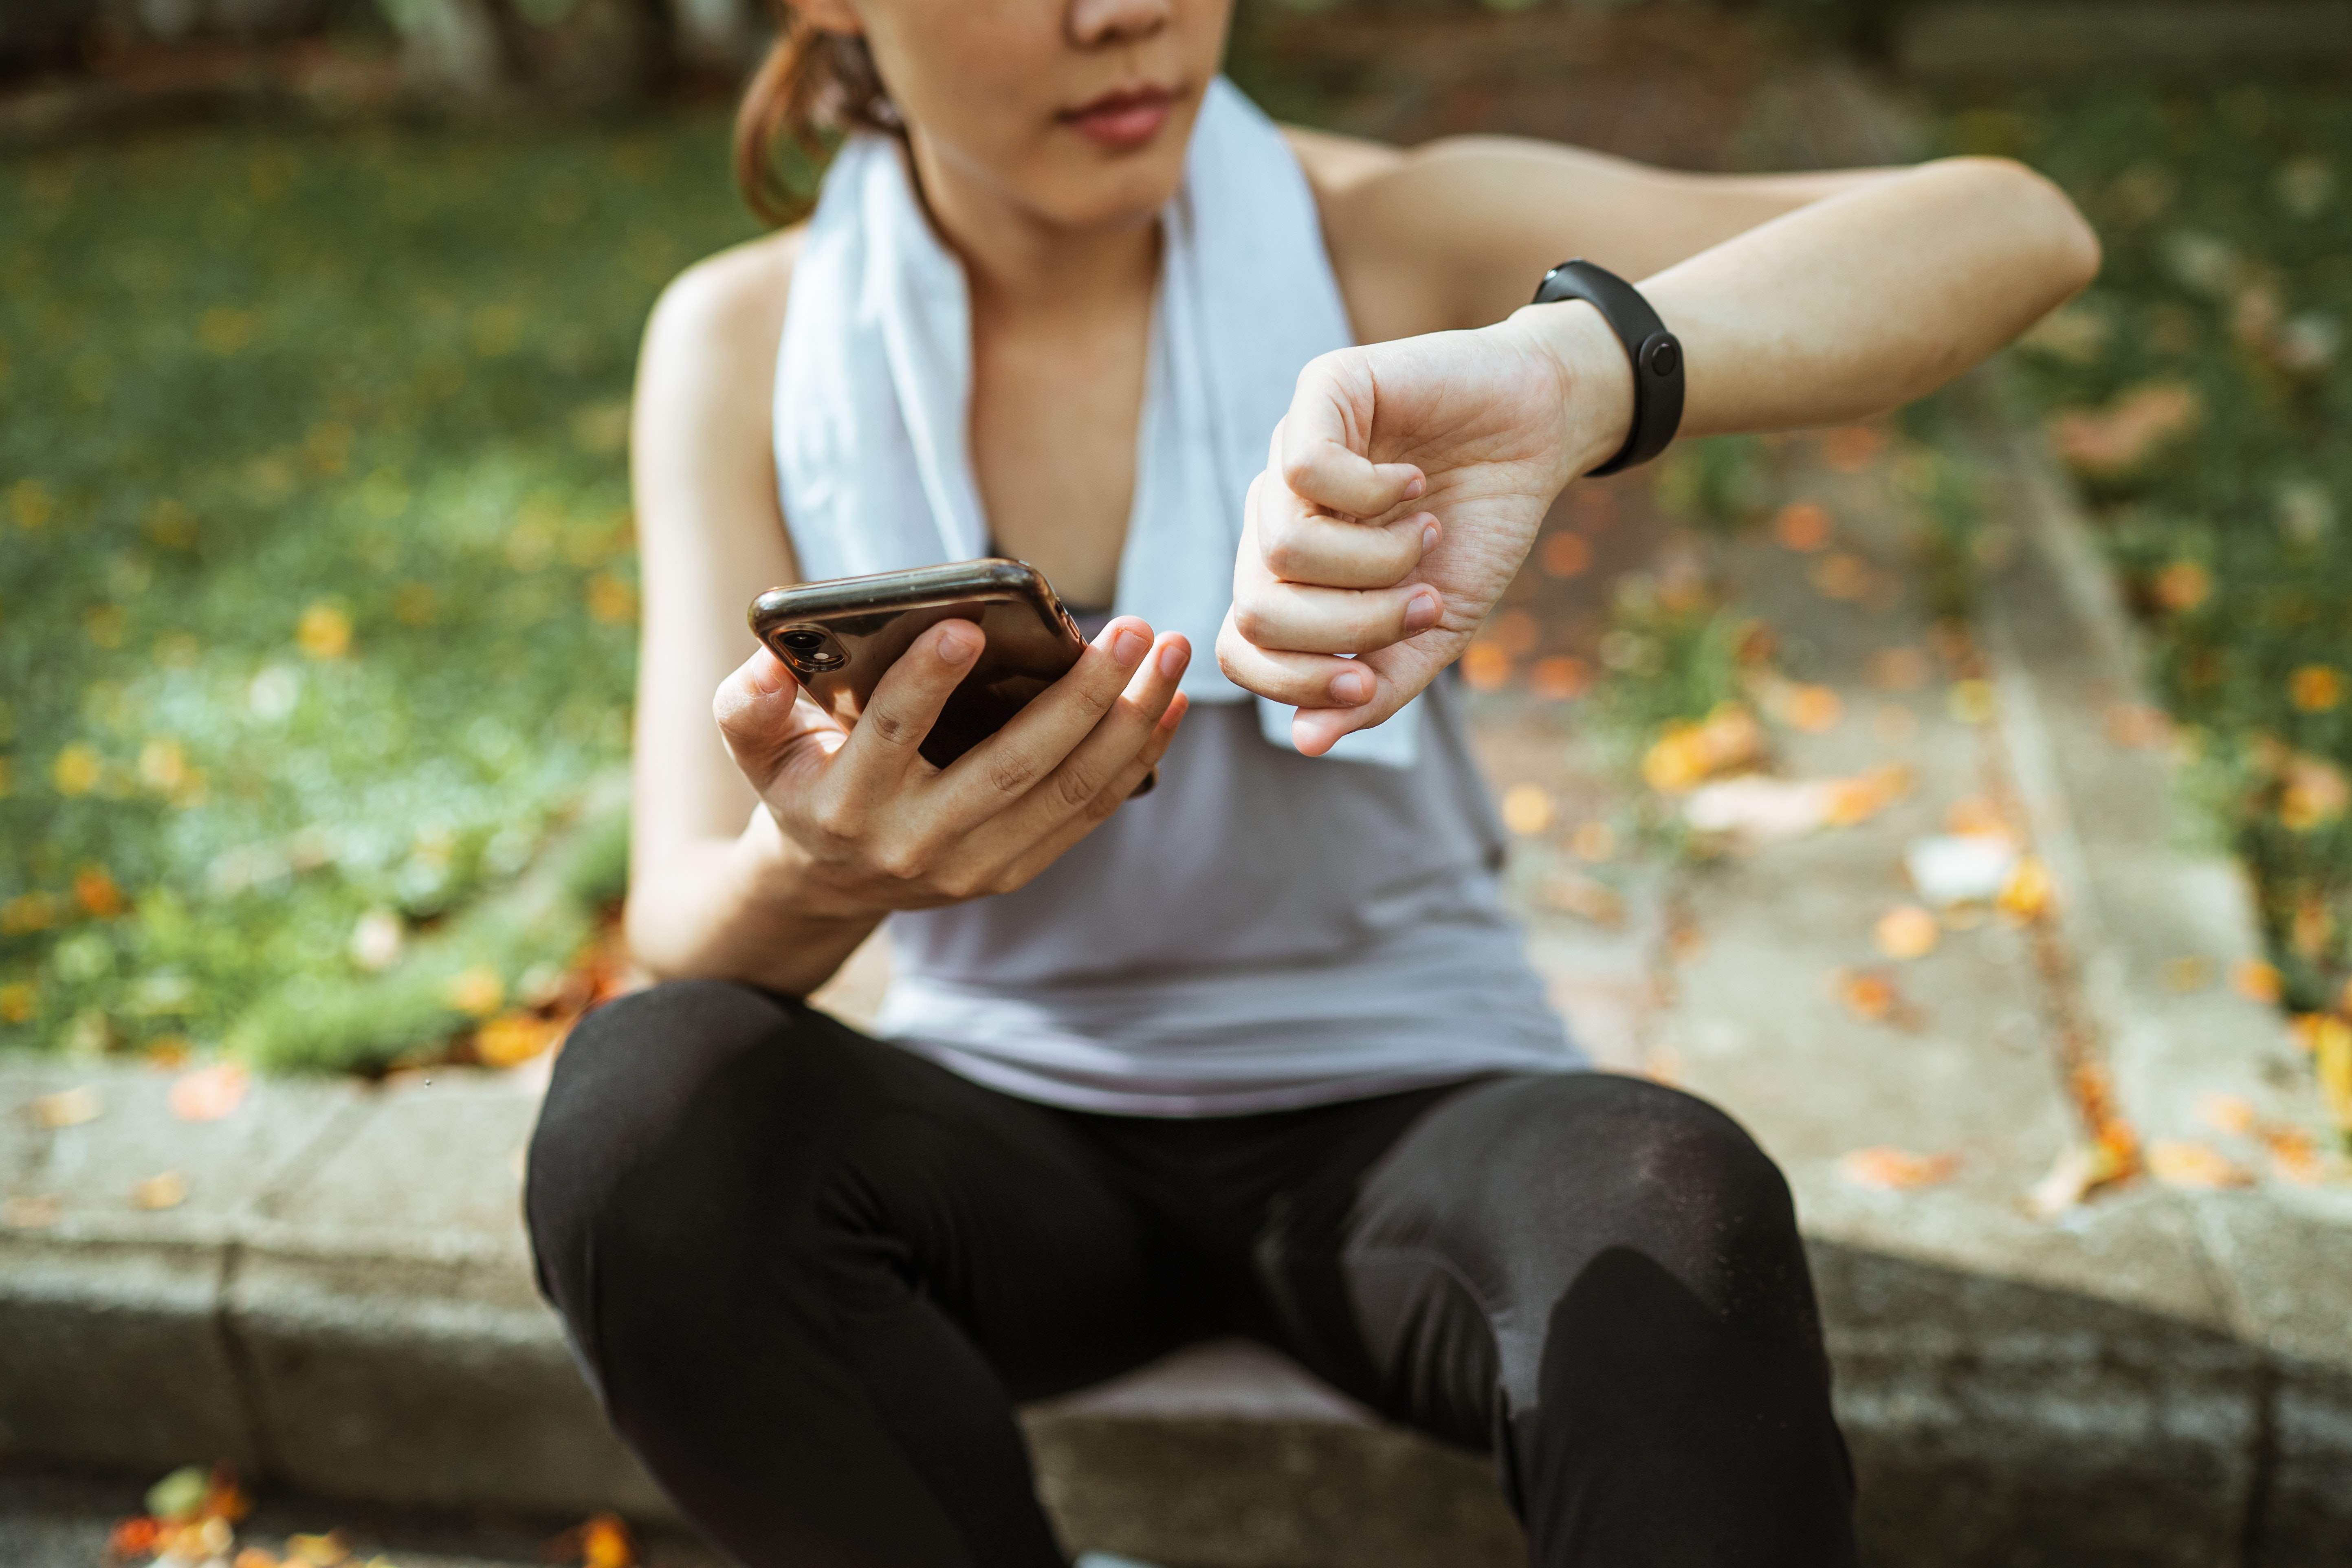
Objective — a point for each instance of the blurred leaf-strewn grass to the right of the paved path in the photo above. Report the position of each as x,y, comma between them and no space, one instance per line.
2200,391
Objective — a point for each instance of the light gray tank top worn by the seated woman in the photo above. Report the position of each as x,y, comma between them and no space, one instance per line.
1259,932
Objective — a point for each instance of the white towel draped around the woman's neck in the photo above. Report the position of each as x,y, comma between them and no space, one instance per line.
874,387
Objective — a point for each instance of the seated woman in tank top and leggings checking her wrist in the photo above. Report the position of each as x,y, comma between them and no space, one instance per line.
1252,1054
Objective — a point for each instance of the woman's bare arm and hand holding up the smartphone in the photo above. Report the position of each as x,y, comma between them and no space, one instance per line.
766,845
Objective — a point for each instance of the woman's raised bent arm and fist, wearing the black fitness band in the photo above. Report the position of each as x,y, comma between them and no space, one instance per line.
1798,302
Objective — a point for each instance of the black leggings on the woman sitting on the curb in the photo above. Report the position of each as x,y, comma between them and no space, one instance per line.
815,1273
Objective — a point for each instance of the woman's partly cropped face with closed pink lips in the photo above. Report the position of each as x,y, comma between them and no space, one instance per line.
1076,112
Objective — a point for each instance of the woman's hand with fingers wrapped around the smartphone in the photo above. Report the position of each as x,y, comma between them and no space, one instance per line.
860,824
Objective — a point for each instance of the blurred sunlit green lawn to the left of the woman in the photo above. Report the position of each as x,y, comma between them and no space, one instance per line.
316,565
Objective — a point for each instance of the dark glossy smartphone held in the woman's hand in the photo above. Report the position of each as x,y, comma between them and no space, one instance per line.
838,638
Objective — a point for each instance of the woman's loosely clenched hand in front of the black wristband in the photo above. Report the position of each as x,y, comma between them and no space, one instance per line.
1403,490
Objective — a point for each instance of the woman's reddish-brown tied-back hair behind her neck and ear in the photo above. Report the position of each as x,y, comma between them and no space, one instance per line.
808,86
